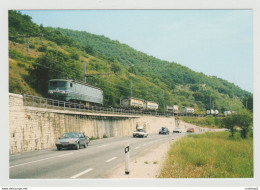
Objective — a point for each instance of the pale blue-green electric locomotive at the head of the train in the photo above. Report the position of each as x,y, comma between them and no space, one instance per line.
75,91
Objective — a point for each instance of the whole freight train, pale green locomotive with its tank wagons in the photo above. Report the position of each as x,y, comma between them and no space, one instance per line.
83,93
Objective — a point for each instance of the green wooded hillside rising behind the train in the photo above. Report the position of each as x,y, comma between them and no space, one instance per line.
61,53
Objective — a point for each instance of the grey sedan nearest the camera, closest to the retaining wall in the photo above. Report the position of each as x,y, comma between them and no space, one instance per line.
72,140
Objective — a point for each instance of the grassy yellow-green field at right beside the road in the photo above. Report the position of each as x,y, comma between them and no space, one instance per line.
209,155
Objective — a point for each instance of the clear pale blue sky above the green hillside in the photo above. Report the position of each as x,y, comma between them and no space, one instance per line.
214,42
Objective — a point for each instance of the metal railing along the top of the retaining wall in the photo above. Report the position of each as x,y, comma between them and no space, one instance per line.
40,102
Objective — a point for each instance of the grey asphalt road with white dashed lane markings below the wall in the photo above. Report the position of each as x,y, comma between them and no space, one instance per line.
94,161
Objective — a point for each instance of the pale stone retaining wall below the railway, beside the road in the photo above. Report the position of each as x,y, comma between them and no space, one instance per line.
32,128
